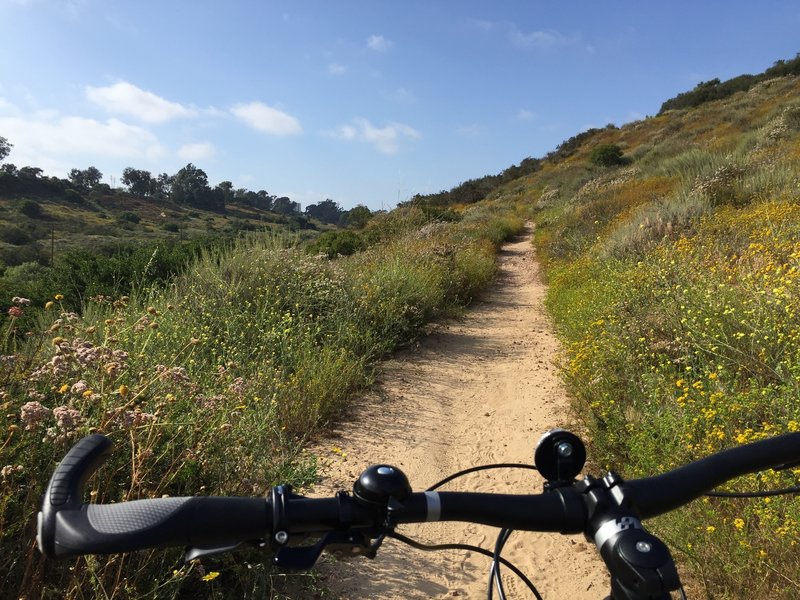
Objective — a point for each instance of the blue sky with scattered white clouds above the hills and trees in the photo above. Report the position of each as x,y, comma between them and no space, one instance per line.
362,102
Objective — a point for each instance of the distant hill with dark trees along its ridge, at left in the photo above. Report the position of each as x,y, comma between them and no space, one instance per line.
42,216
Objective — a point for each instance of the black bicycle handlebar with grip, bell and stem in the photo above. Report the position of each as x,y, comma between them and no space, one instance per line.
607,511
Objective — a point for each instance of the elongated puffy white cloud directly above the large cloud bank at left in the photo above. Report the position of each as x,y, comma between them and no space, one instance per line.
126,98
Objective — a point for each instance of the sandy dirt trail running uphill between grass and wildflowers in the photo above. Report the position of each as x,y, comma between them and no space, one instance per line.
477,391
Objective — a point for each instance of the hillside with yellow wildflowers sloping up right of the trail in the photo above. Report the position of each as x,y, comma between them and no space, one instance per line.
674,272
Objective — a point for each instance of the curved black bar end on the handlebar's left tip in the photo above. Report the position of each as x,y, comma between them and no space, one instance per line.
65,490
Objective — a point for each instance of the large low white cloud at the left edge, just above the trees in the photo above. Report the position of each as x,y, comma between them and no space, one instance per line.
56,143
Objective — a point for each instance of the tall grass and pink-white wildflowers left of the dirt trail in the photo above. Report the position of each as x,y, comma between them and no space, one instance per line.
211,384
